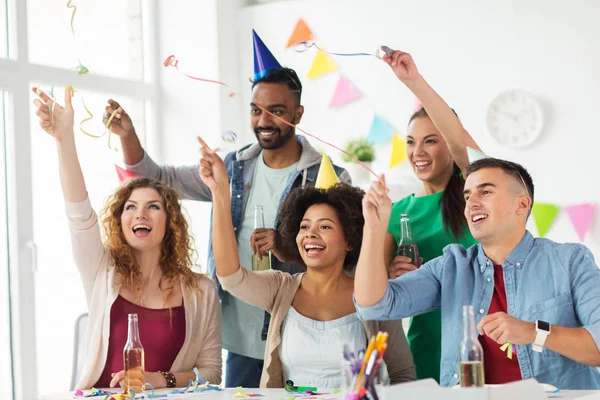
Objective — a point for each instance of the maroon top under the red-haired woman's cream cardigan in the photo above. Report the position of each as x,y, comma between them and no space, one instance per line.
161,335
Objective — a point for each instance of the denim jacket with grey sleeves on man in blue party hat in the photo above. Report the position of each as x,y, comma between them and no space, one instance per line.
240,169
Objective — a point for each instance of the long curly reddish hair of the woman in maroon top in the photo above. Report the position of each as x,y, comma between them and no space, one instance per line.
177,253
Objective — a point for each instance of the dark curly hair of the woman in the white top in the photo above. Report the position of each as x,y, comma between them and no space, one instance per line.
344,198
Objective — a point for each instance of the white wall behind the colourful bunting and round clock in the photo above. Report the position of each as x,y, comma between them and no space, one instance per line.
469,51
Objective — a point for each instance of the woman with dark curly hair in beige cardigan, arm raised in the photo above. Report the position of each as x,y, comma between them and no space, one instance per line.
312,313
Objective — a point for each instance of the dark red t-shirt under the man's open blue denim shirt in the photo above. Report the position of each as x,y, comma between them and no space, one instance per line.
498,367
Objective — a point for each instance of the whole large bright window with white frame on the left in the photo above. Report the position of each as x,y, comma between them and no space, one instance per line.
47,295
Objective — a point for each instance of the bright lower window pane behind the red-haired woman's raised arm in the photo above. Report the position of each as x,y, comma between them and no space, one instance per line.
58,291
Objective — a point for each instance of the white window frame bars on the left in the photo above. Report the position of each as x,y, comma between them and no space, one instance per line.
16,76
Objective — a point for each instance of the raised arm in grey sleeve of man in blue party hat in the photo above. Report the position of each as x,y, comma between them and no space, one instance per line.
184,179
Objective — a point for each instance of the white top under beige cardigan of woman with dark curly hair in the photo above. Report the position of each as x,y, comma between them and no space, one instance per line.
311,351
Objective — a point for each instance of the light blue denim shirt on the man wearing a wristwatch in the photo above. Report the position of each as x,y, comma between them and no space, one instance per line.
553,282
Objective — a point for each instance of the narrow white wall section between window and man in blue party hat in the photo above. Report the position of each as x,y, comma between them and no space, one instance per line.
188,30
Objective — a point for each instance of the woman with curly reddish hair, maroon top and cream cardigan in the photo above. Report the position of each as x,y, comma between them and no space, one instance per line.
144,268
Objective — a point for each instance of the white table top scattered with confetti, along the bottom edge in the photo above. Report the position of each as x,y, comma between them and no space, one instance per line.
278,394
